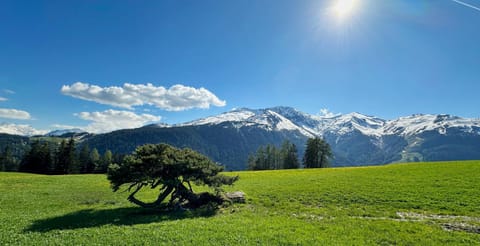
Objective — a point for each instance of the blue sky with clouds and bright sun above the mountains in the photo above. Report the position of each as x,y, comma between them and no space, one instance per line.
383,58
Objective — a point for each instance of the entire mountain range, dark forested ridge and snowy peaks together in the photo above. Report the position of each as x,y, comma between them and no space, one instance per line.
356,139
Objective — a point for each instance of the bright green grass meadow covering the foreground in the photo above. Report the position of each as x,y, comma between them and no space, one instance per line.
401,204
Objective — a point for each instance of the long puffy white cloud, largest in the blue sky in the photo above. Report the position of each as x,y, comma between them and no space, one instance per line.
175,98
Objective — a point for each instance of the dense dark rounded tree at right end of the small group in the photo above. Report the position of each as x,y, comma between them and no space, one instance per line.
317,153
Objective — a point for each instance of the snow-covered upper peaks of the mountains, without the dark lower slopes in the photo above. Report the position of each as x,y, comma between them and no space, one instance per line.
286,118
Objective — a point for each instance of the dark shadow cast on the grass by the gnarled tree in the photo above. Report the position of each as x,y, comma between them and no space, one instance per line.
120,216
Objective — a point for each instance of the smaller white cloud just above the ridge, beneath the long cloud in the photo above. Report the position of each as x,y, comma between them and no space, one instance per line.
111,120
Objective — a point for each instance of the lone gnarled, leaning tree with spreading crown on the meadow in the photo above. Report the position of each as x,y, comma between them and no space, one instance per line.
173,170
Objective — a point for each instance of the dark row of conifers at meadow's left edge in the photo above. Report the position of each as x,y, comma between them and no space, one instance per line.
44,157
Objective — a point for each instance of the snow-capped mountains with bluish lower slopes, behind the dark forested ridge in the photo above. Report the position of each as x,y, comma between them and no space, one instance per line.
361,139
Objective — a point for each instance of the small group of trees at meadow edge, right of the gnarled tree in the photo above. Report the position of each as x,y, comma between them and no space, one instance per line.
317,155
